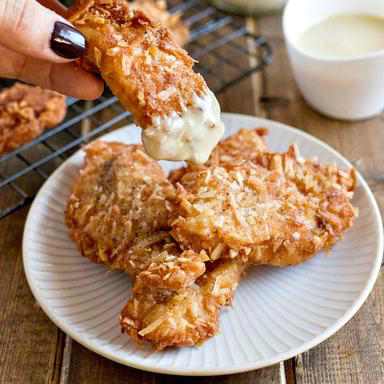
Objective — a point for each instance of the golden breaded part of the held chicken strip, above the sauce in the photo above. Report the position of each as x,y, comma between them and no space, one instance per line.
138,58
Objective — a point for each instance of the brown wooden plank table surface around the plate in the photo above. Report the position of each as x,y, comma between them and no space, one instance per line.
33,350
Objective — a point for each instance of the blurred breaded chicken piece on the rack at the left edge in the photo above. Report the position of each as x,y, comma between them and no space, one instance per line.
26,112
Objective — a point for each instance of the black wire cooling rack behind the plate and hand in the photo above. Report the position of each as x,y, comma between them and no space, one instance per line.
226,52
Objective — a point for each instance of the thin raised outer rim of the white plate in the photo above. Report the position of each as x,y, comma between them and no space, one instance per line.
261,363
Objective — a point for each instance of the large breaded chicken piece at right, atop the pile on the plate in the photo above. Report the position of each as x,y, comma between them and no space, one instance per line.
281,213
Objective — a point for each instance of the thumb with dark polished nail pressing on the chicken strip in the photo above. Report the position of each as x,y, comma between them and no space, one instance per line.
29,28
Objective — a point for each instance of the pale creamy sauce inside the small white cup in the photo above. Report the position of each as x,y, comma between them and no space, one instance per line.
344,34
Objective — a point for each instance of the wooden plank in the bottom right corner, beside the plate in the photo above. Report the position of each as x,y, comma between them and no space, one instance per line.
353,355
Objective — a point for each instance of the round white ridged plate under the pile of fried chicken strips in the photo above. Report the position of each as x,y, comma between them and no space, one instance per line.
278,312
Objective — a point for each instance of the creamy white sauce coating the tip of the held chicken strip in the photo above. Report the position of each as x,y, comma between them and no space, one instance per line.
189,136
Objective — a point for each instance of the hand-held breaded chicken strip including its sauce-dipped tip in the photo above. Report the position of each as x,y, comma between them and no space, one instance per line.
153,78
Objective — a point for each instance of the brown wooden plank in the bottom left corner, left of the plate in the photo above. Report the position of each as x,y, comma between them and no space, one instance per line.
30,344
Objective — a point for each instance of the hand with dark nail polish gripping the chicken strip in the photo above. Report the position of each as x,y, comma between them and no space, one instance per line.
38,46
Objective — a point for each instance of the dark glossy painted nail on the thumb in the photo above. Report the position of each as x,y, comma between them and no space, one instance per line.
67,41
